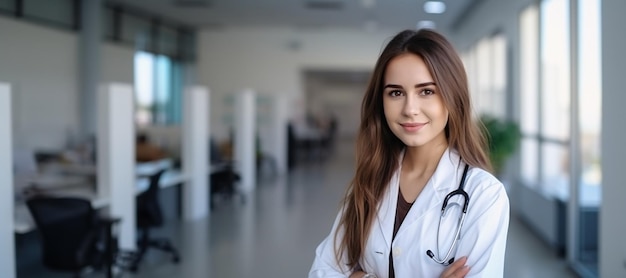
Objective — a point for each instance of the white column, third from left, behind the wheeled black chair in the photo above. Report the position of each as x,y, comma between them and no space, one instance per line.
196,152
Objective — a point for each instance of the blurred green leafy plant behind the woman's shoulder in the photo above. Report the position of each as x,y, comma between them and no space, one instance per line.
503,137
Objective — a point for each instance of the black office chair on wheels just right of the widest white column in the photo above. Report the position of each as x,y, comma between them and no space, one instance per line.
149,216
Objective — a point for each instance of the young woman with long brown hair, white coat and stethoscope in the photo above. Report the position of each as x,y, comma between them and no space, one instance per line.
418,143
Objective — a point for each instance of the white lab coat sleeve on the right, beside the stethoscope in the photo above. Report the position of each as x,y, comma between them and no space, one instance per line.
485,230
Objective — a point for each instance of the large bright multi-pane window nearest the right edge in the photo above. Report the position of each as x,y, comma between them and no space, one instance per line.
560,105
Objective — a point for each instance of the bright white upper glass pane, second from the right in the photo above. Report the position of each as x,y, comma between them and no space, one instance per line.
555,70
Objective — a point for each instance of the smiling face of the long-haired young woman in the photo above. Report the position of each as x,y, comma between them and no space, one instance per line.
412,102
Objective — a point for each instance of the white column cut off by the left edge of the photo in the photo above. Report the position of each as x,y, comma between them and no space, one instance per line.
7,234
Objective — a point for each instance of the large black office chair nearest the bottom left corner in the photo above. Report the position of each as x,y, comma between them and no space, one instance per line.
73,236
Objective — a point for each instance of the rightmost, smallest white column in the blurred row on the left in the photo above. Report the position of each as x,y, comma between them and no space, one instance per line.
280,118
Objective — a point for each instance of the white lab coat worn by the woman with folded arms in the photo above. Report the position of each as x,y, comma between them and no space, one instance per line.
483,236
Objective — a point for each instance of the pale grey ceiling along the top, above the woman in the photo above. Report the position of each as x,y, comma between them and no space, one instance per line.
302,14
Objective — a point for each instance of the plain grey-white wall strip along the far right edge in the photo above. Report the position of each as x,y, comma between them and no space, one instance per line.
612,224
